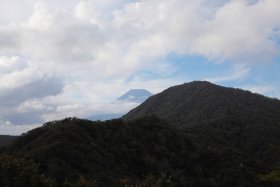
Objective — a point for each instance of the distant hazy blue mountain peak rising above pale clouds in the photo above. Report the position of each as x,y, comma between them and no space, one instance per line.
135,95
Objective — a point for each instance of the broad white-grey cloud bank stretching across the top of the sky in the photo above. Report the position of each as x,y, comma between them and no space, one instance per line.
120,38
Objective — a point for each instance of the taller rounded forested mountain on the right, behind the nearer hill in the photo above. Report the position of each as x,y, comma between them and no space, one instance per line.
233,120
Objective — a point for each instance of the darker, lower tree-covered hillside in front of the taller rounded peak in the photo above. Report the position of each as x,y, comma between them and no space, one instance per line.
143,152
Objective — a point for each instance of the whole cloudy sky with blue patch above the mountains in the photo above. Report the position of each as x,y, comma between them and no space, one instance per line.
75,57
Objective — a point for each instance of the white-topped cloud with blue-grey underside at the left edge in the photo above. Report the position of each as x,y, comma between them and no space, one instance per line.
21,81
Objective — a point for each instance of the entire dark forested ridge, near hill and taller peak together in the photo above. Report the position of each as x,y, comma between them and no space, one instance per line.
209,136
